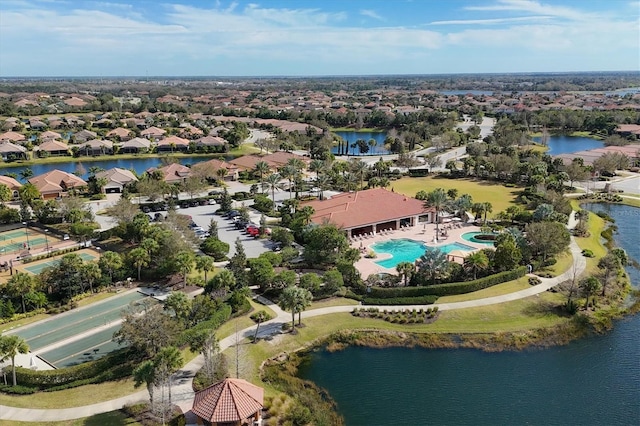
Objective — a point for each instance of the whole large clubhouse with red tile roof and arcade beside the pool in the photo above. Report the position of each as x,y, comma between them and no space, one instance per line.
370,211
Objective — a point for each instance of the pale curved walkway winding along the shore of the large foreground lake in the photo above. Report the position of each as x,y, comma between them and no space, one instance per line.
183,393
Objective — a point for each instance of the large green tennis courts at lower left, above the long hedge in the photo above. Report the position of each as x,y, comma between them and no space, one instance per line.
75,322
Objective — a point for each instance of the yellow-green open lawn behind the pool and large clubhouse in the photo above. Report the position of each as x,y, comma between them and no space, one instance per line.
498,195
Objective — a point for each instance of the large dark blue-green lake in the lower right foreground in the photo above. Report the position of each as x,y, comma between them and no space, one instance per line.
592,381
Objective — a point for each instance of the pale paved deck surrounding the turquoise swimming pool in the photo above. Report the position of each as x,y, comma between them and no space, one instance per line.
422,232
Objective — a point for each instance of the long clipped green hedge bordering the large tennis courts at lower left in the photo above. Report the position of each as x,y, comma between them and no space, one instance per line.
110,367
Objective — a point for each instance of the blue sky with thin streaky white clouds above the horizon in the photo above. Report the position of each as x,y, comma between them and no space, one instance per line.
315,37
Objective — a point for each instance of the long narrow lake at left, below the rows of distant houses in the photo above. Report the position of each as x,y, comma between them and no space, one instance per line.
137,164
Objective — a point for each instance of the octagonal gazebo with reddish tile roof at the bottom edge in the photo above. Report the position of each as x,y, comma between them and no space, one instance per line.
230,402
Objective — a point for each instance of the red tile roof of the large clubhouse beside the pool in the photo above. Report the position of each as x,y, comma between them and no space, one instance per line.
356,209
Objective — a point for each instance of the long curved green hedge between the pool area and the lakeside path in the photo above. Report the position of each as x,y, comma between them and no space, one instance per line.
449,288
